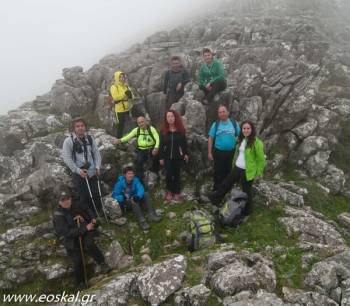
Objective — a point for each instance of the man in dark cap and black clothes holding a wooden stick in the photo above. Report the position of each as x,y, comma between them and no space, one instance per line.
69,226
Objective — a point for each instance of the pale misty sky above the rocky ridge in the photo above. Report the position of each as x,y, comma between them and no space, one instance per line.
41,37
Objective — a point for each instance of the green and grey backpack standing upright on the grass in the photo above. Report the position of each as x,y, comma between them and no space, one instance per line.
202,230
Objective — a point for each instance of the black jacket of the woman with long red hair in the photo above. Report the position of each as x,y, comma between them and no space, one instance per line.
173,146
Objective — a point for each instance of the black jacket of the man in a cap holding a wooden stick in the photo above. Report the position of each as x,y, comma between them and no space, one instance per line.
66,227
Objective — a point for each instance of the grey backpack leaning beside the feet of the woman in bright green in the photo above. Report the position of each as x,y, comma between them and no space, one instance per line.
232,212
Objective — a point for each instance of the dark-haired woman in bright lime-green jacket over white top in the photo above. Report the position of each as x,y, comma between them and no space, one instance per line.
249,164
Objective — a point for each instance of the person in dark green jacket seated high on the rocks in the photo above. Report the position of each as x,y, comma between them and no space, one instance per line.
211,81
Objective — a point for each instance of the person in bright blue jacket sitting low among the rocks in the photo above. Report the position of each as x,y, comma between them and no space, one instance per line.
129,193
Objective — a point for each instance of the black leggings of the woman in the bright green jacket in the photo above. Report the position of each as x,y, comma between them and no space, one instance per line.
236,175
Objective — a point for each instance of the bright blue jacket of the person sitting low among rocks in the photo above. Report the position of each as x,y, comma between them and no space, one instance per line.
121,188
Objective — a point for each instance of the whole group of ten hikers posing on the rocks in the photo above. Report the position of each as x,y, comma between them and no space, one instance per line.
235,150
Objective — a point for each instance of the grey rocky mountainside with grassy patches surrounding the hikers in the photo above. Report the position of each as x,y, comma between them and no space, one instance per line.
288,70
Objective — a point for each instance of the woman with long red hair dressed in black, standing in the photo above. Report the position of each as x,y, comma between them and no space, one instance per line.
172,153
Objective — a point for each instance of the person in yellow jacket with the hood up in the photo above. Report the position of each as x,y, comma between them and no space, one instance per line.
121,98
